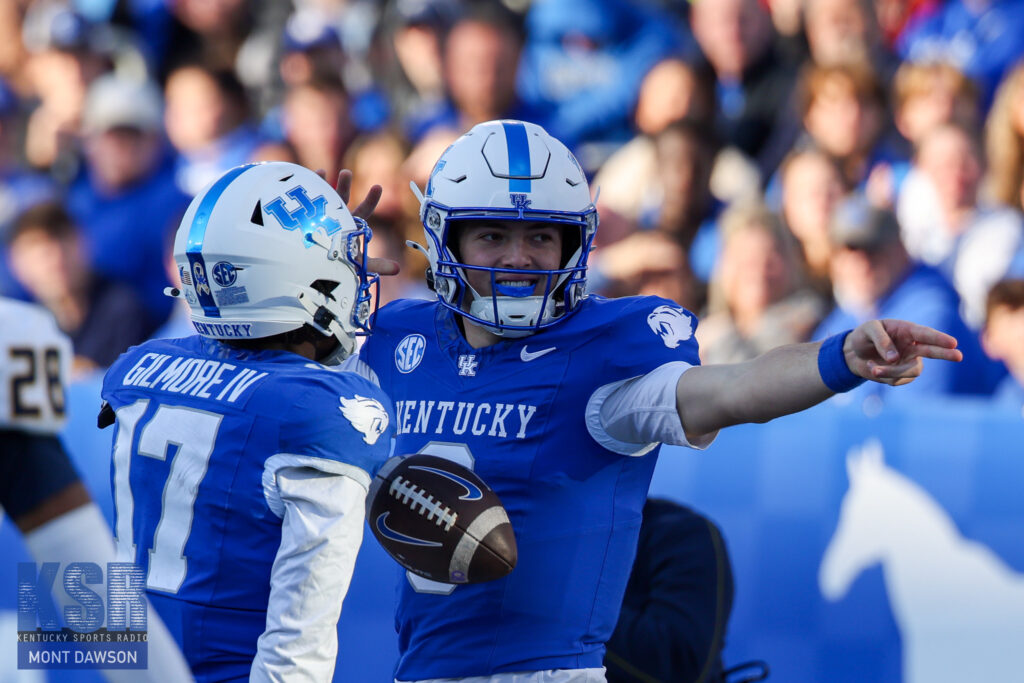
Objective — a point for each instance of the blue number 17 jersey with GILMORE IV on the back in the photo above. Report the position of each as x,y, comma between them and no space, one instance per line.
198,422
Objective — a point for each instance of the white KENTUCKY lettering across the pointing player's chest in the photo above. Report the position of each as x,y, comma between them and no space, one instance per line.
421,417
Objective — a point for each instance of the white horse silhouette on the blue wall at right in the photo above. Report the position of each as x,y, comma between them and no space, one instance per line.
959,608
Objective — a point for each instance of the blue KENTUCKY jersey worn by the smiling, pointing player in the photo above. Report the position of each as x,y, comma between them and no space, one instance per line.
517,413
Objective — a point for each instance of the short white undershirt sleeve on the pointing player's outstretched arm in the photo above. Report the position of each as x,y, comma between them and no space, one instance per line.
631,417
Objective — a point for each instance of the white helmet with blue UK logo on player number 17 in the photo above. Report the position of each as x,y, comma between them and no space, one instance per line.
271,247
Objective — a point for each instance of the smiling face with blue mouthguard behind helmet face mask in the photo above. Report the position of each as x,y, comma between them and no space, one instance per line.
514,245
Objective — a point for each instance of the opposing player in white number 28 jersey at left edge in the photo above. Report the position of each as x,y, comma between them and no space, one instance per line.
40,490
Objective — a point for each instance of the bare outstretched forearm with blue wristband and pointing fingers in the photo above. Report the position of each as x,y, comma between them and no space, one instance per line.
790,379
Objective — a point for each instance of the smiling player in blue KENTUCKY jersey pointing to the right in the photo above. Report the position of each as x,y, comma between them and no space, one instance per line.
560,401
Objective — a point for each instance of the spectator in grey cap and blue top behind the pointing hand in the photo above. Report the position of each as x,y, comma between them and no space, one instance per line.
874,278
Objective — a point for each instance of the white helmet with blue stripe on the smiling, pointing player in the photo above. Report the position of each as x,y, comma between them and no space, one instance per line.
508,170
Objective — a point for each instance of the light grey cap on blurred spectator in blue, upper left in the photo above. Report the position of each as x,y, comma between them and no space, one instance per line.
115,102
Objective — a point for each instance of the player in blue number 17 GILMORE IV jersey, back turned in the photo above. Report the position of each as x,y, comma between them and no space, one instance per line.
241,462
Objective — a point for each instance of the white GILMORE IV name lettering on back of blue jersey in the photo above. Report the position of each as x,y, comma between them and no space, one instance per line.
195,377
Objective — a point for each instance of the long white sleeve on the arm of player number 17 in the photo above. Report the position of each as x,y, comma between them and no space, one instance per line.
322,531
